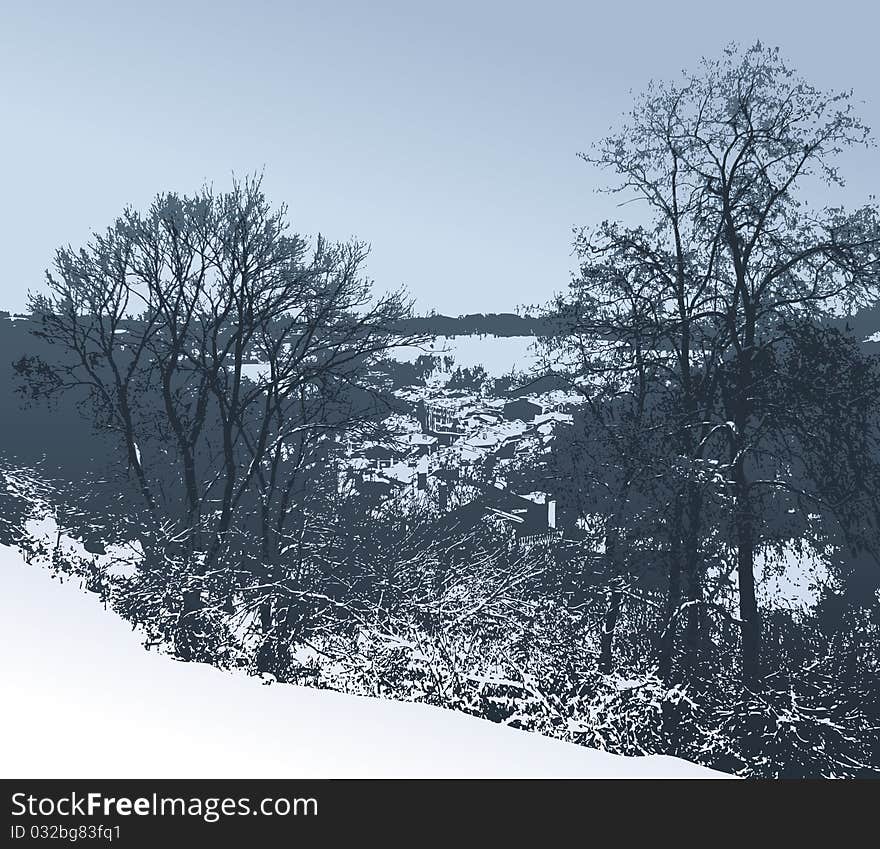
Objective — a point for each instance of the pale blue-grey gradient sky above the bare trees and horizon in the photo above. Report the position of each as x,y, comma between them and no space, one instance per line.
444,134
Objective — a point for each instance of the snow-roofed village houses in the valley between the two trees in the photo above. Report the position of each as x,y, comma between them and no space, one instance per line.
453,453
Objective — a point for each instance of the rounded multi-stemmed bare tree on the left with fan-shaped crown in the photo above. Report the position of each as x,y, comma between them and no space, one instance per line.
223,350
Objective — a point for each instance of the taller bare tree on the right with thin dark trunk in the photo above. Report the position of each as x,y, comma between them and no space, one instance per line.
730,249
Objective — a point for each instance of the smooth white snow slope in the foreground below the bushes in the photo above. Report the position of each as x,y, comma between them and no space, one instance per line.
82,699
